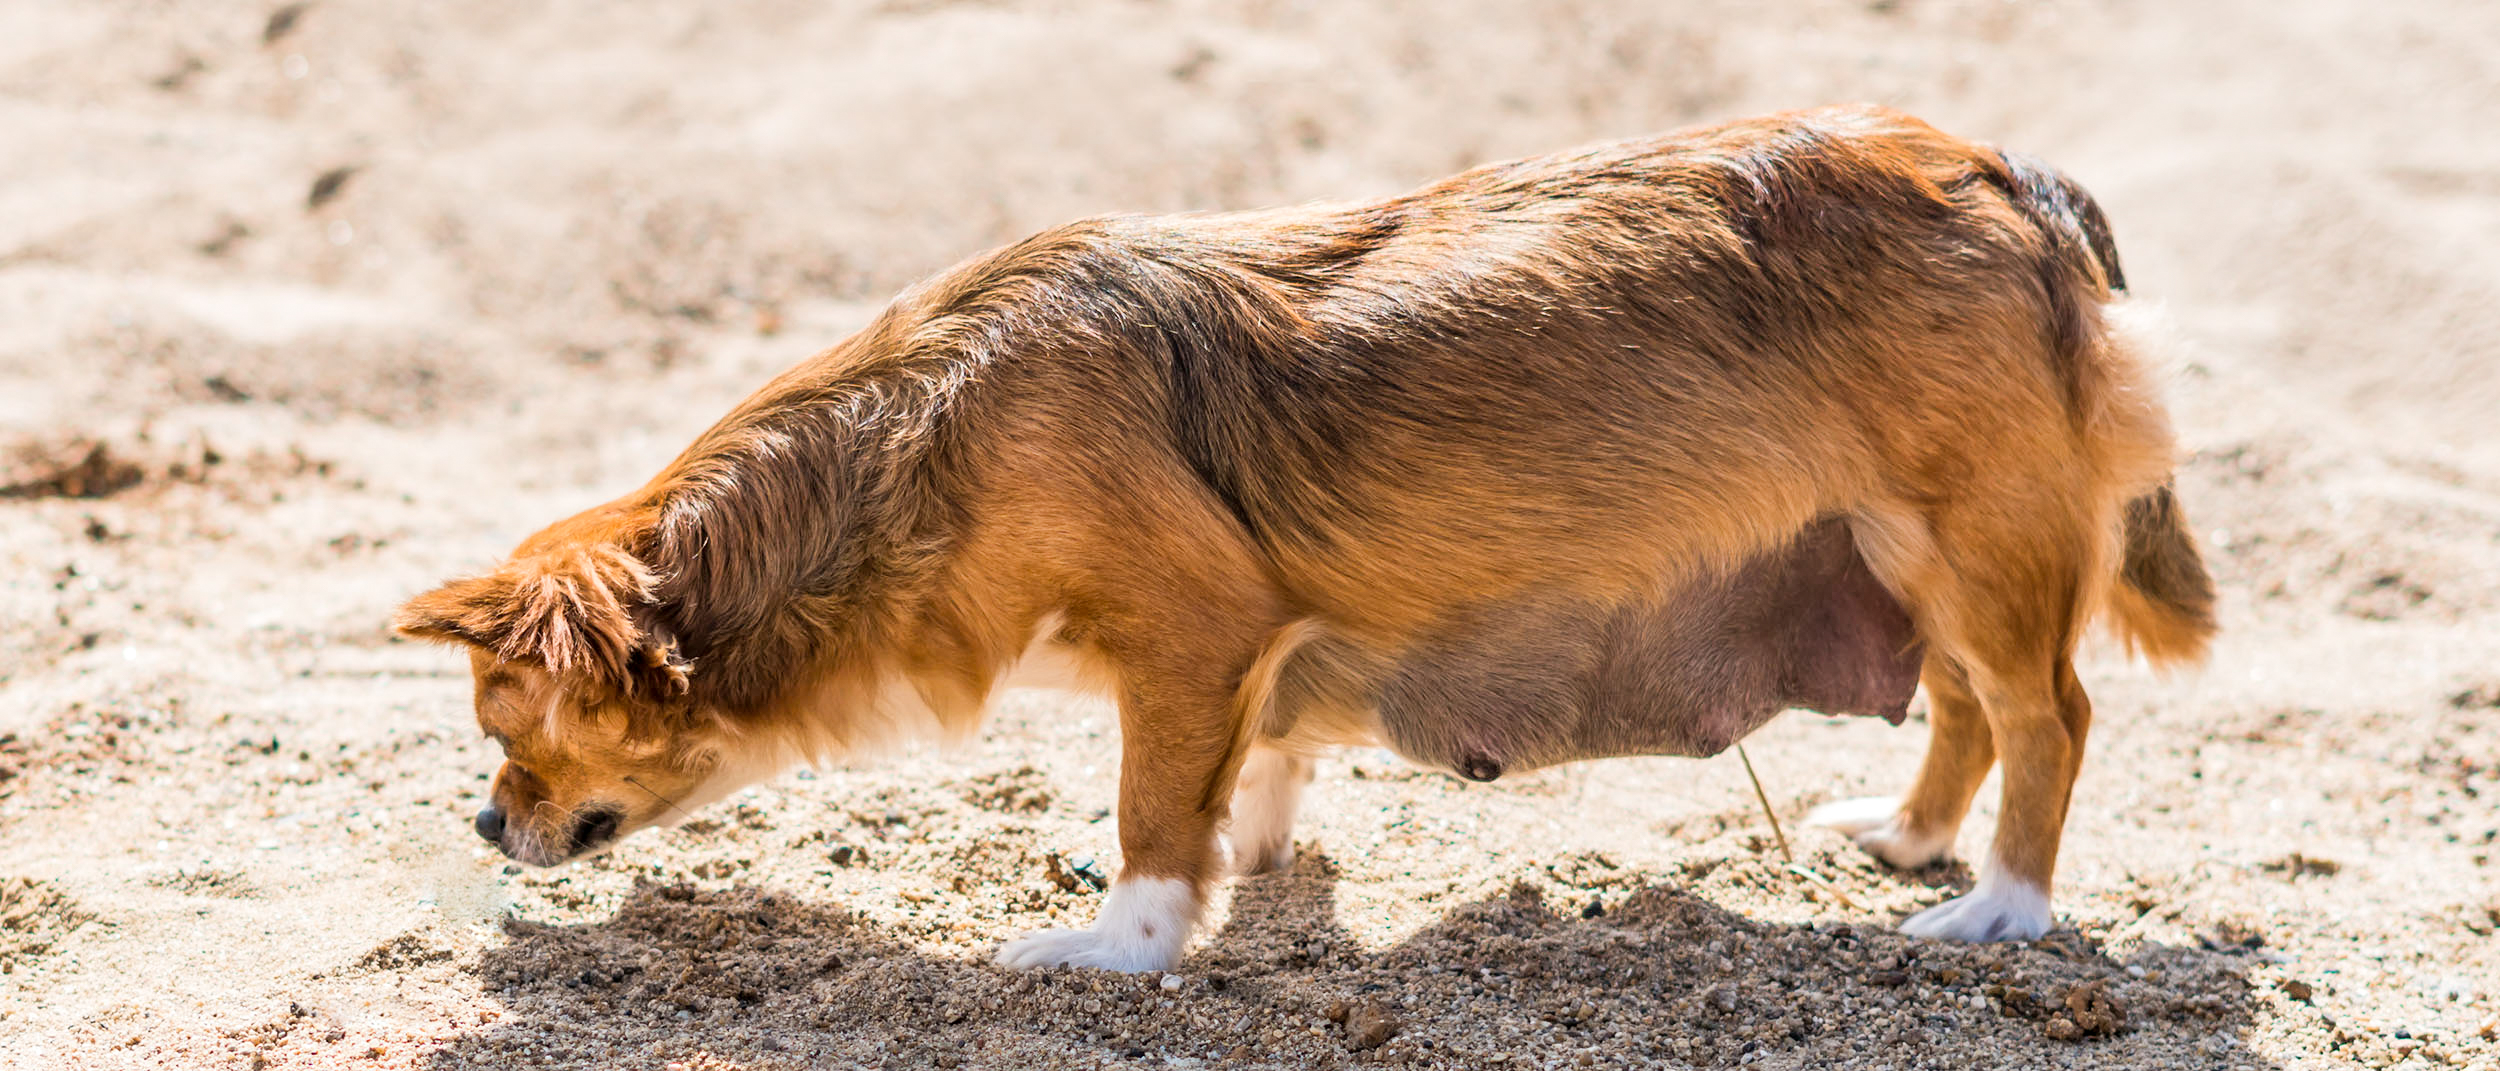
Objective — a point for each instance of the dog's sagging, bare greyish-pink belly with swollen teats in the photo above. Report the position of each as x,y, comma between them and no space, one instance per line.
1539,684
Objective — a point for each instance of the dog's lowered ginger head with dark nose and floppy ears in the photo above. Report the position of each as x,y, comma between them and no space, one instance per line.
584,692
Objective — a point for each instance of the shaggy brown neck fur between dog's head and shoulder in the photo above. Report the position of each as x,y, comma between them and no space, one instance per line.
794,542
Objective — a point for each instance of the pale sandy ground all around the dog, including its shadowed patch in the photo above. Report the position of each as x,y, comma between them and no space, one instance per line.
309,309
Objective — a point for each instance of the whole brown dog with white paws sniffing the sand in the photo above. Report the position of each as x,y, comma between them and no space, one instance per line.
1591,454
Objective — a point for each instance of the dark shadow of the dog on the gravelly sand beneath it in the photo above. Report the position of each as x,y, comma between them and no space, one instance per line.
1646,975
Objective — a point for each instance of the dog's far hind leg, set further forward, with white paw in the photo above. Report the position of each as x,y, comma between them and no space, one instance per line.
1961,749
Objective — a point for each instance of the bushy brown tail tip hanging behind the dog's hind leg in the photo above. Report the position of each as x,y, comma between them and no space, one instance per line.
2164,597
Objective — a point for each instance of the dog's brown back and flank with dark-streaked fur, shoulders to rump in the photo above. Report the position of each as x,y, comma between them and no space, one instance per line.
1591,372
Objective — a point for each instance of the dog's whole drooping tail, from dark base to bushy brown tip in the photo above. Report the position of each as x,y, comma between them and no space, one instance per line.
2161,604
